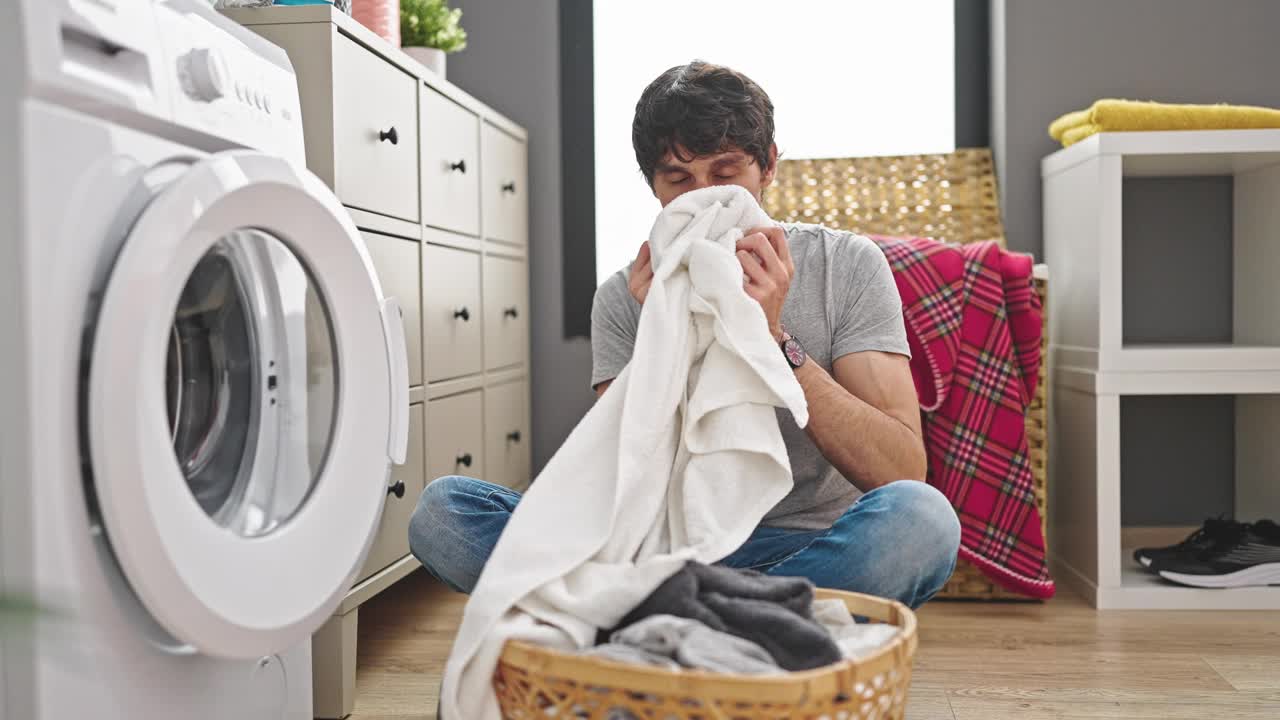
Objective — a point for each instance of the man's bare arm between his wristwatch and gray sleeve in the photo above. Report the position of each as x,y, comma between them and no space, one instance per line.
866,421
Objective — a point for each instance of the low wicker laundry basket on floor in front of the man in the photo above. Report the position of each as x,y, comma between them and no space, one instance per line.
536,683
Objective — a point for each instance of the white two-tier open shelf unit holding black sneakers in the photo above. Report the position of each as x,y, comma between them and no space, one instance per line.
1092,367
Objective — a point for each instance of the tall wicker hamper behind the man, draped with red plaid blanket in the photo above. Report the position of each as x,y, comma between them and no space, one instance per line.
952,198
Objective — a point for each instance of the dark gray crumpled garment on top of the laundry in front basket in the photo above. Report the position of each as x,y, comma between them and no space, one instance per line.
772,613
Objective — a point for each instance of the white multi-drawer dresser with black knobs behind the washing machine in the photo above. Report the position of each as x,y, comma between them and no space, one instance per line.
438,184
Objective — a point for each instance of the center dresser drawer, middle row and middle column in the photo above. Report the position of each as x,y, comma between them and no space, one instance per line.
452,312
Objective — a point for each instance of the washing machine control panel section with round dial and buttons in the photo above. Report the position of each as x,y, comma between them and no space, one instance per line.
230,83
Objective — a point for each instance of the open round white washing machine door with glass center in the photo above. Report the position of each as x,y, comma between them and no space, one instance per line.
246,394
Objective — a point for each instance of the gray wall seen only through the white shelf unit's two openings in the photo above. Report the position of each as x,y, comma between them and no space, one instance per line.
1177,453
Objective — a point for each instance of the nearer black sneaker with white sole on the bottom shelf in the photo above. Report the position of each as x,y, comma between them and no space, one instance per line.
1249,557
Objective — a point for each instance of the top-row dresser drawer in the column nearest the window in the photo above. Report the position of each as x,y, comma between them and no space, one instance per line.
506,188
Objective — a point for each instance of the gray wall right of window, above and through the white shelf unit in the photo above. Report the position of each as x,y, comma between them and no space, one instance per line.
1052,57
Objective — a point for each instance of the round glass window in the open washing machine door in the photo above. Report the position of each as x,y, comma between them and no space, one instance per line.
250,384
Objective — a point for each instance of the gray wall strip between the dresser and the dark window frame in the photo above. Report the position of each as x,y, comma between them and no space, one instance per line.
513,65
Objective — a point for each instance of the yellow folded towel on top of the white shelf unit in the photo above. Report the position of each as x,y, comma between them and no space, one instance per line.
1121,116
